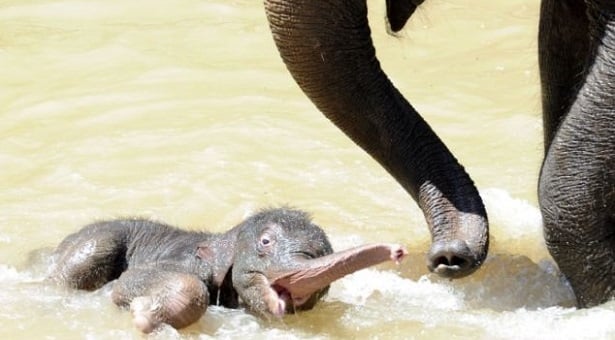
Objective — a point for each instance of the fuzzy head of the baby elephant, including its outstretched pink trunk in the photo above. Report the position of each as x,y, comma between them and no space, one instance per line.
283,262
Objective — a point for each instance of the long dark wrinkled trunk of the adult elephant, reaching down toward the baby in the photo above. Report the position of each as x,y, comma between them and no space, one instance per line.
327,48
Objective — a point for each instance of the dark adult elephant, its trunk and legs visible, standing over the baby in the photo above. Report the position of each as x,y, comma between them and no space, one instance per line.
327,48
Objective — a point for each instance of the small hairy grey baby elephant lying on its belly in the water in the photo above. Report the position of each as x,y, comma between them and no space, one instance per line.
274,262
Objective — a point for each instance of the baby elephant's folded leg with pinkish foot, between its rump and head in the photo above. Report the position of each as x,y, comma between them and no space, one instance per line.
157,296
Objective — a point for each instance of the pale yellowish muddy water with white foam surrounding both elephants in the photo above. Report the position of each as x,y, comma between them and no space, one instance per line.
182,111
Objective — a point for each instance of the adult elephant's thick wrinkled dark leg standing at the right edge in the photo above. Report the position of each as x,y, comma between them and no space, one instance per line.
577,182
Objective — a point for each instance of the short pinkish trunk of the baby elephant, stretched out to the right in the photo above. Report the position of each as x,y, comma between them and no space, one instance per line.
312,275
